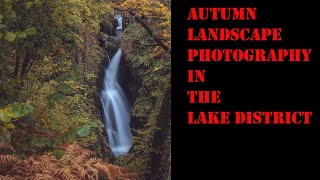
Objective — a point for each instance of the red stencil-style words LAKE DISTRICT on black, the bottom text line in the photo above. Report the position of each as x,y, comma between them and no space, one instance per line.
258,117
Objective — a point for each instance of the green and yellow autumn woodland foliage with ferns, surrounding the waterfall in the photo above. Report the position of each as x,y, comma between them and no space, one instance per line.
51,59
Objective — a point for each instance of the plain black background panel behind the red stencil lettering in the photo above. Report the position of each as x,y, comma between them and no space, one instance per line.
208,151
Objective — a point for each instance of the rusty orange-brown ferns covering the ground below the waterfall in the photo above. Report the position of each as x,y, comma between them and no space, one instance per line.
76,164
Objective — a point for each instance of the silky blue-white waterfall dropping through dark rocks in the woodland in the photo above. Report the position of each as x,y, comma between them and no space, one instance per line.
115,107
